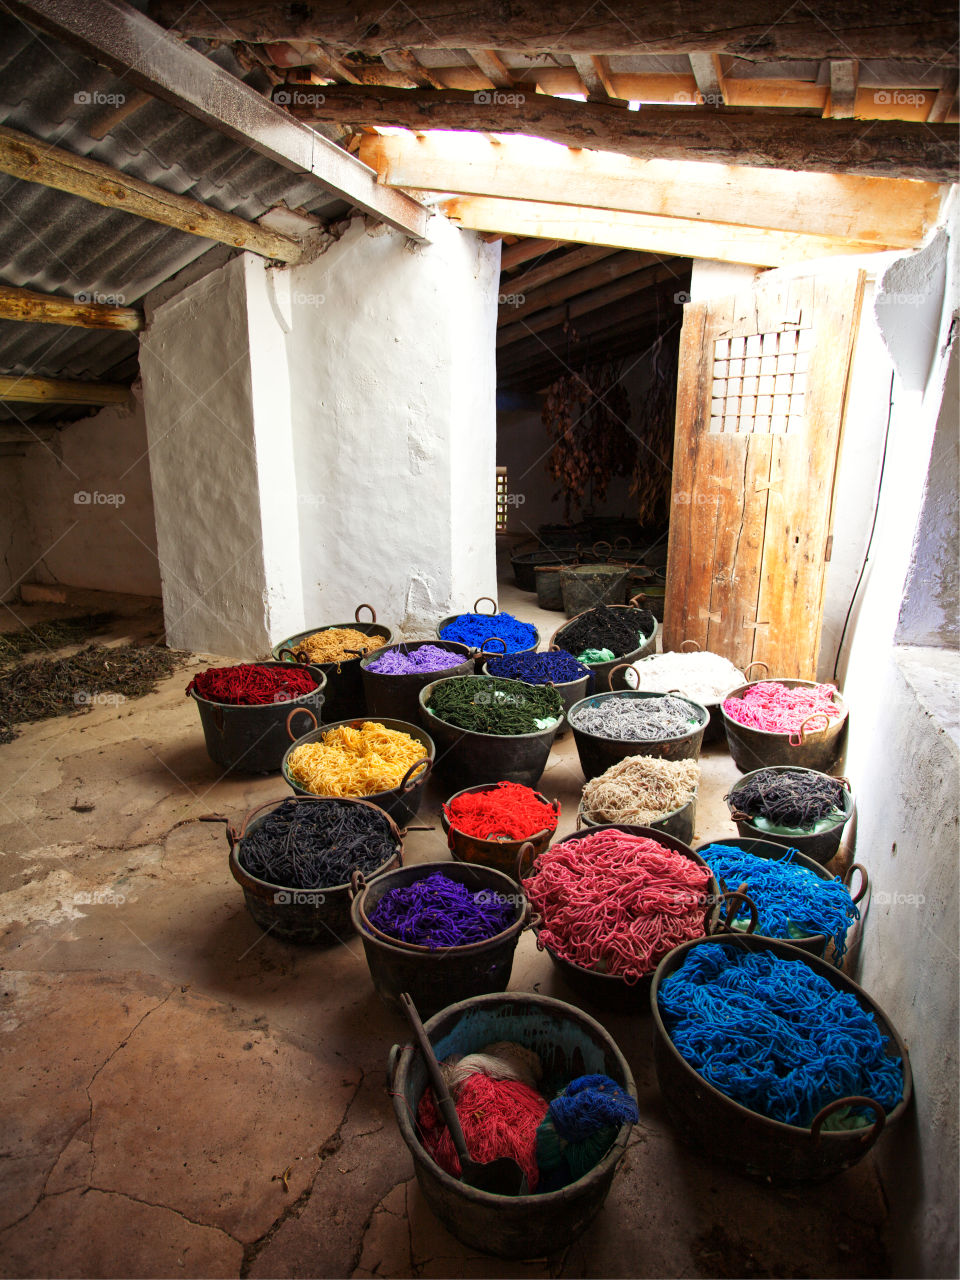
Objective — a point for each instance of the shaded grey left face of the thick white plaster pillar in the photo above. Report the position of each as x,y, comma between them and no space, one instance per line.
199,400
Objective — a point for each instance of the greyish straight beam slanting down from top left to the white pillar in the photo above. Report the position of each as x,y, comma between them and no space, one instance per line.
121,38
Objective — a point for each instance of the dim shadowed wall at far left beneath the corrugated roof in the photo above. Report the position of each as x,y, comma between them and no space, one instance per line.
108,543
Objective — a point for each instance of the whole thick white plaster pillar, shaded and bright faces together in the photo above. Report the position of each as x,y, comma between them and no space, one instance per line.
323,436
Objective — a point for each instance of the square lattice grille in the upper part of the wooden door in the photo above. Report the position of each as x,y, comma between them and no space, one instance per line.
760,382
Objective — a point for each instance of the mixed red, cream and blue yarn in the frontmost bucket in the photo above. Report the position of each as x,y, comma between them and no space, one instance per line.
504,1113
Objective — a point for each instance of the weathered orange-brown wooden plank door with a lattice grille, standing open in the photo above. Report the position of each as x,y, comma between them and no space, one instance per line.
761,399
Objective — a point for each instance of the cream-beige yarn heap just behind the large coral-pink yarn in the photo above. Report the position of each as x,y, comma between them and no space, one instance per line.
641,790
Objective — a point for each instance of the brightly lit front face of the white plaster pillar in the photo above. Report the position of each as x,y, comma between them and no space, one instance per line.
391,356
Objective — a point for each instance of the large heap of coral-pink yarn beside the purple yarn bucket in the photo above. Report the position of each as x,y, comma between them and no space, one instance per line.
616,903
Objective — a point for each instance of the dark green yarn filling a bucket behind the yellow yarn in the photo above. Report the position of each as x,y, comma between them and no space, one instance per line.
488,706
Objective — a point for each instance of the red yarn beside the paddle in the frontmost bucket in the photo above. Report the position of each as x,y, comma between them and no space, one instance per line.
499,1118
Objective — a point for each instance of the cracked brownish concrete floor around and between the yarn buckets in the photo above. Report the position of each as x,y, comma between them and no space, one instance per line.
189,1098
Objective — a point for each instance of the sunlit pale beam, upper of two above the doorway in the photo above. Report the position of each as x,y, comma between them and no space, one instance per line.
879,212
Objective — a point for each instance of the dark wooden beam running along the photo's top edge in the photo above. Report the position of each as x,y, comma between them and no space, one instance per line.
755,29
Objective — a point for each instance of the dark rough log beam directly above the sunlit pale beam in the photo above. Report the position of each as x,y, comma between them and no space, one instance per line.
898,150
